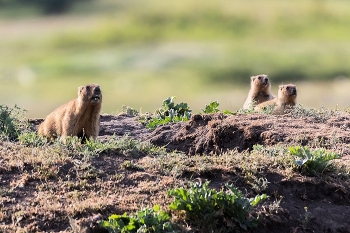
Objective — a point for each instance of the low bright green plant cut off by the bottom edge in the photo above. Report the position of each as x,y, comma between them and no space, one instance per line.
145,221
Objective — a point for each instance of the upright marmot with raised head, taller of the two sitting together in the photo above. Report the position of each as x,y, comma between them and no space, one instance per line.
259,91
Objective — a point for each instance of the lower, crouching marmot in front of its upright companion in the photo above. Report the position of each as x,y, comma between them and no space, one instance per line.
286,99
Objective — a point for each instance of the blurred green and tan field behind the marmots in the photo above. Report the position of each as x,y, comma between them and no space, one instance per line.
143,51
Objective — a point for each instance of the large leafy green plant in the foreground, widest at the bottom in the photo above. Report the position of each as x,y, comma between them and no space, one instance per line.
212,210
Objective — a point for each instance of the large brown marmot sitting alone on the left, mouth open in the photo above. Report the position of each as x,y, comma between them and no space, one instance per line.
79,117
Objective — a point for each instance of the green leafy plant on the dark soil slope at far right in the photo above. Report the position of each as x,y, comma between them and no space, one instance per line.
312,162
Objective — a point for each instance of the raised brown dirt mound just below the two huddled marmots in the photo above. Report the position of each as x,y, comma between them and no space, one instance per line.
205,134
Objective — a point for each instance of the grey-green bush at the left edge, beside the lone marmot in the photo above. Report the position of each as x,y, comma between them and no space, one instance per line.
12,122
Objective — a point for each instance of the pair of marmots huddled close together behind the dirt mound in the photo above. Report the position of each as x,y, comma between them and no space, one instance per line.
260,95
